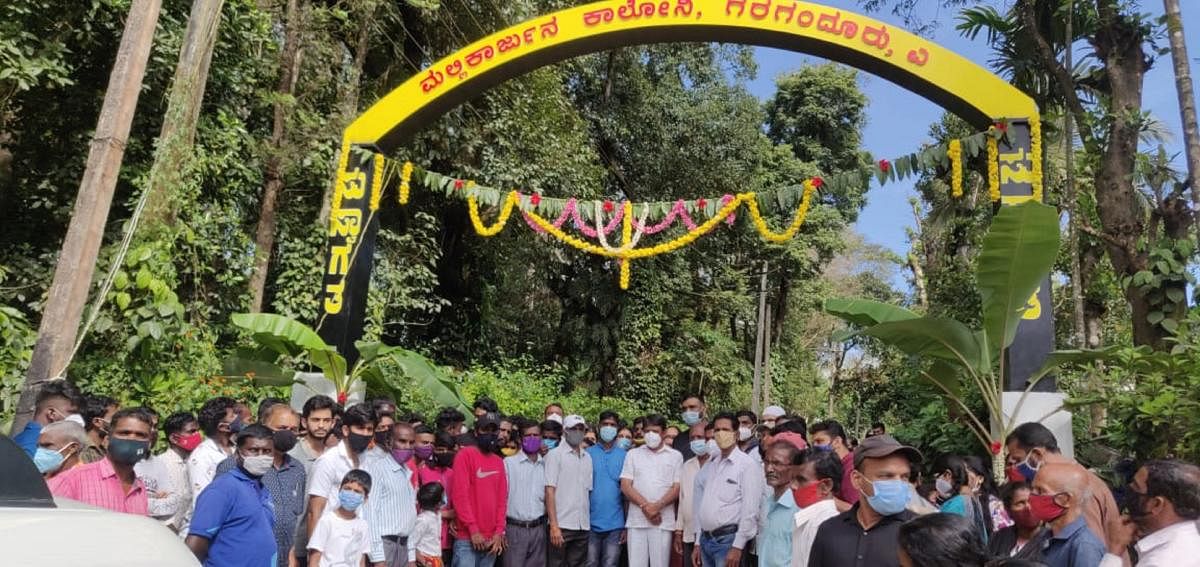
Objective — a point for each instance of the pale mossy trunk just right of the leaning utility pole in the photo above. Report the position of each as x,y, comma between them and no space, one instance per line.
175,152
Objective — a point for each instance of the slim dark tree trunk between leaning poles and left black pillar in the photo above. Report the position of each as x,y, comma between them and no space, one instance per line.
265,234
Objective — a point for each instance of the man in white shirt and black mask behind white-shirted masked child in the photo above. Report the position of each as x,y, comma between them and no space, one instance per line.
358,431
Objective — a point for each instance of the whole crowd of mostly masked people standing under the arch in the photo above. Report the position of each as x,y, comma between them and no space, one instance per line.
374,486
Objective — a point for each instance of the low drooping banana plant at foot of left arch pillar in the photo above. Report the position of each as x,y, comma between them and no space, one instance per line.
283,345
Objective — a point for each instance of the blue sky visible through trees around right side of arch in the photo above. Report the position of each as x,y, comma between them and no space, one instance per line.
898,121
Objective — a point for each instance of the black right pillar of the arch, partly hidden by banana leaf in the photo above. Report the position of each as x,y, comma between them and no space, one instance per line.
1035,336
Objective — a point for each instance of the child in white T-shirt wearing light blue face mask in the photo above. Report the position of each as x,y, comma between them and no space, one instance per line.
341,538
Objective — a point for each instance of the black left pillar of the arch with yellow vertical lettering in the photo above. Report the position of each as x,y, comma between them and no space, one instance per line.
350,255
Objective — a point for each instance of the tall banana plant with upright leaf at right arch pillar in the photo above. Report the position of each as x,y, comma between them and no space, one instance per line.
1018,253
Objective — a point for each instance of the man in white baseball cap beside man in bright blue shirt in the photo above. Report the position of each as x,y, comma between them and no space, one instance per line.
568,487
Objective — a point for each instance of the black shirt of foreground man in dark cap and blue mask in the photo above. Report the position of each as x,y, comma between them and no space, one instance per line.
843,542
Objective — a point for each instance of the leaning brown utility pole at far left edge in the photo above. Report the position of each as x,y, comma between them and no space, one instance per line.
77,260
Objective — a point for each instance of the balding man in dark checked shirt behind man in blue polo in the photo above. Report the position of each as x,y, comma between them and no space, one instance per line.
285,481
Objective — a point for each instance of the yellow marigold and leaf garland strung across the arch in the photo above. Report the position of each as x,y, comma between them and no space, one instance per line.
605,217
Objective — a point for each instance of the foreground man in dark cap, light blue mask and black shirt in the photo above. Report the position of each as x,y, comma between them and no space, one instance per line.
868,534
